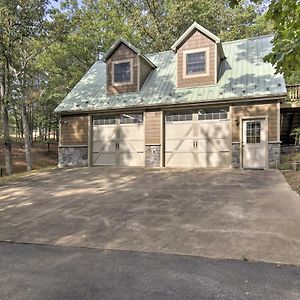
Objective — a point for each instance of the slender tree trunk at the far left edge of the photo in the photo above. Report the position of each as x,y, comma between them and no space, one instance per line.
5,120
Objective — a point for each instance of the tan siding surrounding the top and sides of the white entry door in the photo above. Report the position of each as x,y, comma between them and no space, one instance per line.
269,109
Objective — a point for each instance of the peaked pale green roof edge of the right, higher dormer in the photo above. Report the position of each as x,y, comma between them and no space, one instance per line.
190,30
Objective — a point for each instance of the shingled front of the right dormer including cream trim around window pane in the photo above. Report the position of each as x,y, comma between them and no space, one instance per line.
197,41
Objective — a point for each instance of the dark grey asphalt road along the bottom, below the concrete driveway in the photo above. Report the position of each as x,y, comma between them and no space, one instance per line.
52,272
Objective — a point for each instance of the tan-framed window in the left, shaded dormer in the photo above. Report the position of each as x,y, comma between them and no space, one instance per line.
122,72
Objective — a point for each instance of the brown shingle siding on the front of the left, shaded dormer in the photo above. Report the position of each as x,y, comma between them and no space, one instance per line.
122,52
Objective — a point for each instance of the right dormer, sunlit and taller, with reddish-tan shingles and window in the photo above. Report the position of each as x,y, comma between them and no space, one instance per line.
198,56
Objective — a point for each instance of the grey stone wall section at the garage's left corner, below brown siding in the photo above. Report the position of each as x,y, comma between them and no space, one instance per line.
72,156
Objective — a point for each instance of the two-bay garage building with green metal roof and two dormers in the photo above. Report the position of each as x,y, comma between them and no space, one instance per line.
202,104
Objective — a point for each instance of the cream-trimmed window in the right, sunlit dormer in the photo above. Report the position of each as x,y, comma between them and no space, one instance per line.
195,63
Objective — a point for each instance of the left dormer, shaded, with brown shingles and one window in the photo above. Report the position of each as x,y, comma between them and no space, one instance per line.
126,68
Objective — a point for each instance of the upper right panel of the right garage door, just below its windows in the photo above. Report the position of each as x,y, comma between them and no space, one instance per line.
213,129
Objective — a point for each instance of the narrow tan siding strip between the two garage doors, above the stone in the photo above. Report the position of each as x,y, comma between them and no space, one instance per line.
152,127
